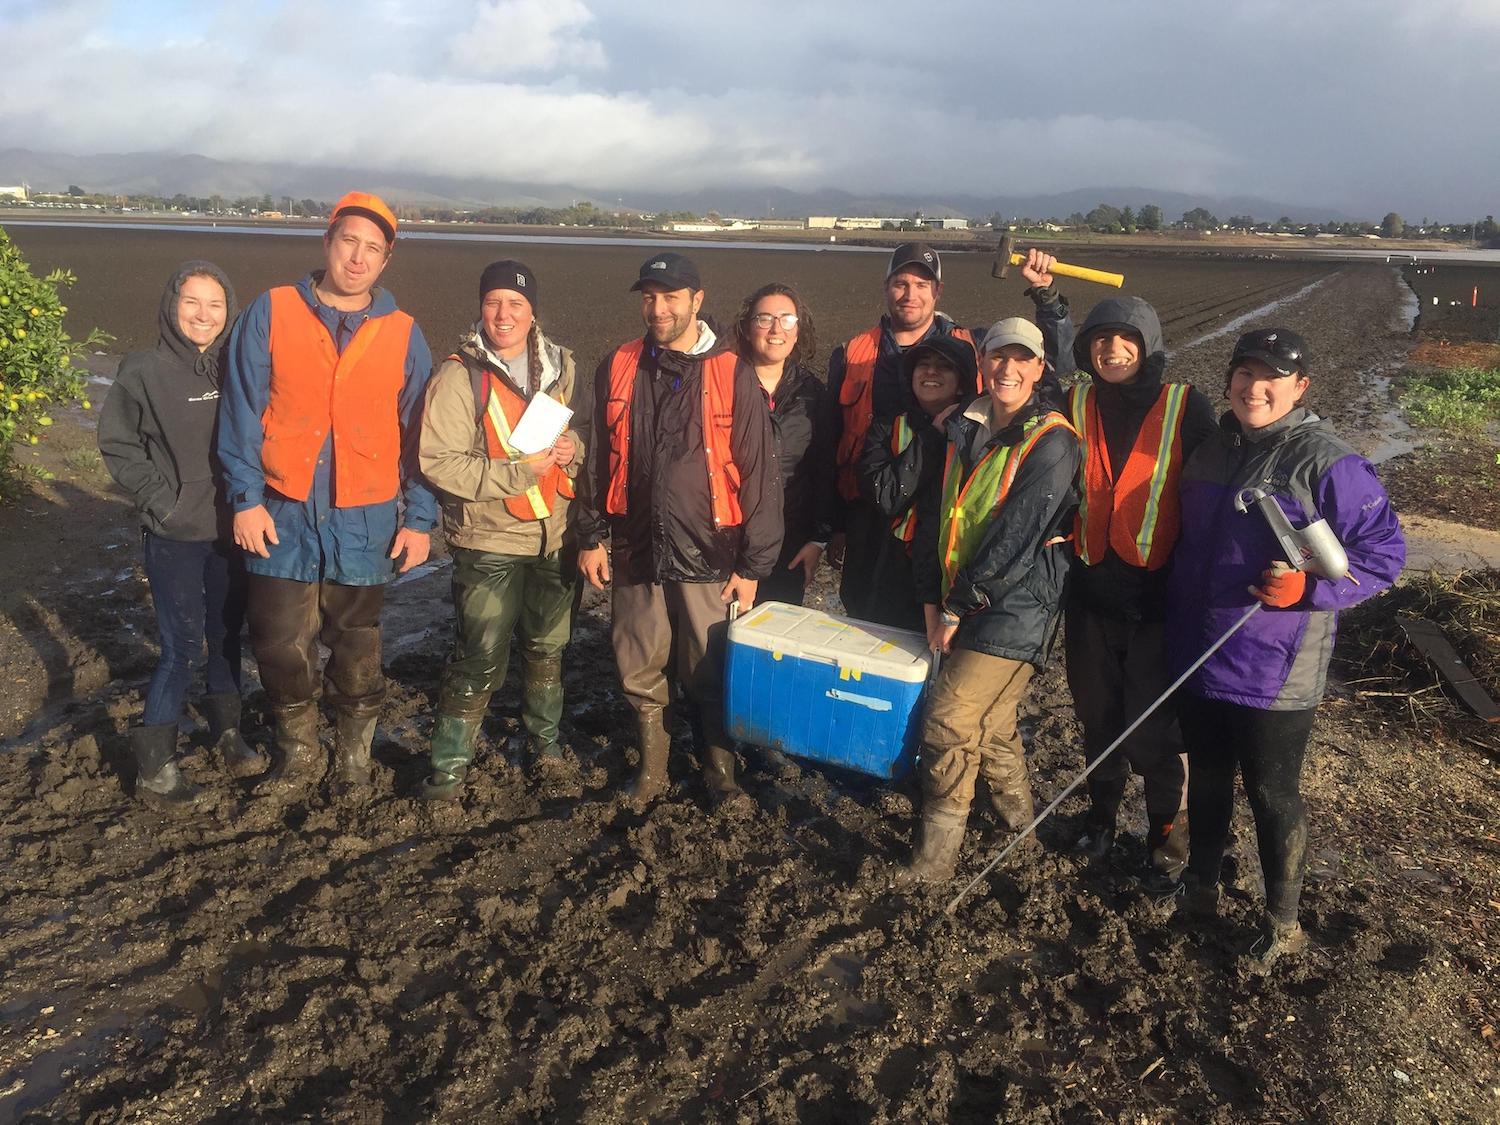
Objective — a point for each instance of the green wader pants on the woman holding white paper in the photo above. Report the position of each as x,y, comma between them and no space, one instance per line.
496,599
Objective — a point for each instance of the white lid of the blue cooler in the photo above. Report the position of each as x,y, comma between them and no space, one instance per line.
860,647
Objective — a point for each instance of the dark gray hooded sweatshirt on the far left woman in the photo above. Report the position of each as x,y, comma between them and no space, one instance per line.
157,428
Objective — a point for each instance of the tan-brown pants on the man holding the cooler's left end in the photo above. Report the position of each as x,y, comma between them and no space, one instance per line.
662,626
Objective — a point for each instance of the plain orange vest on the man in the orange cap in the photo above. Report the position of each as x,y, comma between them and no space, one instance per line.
355,395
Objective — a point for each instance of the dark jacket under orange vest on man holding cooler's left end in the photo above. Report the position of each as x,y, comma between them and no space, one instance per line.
668,532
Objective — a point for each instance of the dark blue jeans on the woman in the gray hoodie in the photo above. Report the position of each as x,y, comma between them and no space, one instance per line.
199,592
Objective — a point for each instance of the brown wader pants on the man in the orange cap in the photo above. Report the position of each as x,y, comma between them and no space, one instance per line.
289,619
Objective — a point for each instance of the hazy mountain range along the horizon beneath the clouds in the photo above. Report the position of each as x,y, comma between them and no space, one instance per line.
200,176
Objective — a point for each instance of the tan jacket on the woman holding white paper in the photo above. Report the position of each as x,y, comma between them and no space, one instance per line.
470,487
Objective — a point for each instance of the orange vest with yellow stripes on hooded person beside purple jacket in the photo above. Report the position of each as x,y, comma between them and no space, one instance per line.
1139,515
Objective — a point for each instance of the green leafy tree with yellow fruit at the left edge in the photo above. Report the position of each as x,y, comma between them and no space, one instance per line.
41,367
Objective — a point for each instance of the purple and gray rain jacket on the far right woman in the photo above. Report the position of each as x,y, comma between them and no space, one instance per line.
1279,661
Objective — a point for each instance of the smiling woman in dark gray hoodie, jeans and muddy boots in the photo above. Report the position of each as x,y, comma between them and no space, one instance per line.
157,439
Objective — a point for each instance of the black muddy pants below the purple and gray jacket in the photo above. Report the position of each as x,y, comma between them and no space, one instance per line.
1267,748
